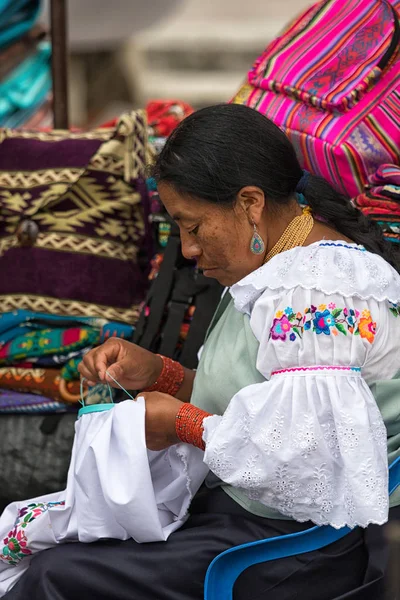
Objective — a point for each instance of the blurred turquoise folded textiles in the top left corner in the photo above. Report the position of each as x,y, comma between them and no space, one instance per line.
25,66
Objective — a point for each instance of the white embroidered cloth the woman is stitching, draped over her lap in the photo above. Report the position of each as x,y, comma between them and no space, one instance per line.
116,489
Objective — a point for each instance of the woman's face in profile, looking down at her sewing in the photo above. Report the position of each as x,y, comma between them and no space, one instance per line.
218,238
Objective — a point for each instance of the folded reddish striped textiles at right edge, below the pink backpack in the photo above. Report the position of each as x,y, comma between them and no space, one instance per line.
381,201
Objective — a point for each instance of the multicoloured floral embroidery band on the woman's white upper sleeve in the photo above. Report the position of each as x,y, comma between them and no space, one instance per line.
324,319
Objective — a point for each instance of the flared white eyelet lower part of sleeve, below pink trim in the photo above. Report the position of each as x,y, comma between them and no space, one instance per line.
314,458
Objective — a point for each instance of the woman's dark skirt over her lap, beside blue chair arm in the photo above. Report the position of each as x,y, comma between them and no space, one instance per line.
175,570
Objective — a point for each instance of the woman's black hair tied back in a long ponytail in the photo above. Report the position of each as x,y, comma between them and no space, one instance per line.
217,151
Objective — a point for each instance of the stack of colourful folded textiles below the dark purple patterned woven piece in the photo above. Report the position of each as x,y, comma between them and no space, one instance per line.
40,354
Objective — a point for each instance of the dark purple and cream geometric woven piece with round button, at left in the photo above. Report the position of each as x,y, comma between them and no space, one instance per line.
71,220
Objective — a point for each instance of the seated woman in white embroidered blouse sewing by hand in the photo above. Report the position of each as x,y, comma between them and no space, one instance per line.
293,401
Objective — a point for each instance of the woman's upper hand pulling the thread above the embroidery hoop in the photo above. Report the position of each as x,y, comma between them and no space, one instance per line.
133,367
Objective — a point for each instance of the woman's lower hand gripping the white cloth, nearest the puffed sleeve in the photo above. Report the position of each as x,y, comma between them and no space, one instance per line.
161,411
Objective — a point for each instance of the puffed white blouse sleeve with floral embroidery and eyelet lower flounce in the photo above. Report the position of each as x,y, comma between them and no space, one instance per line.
310,441
